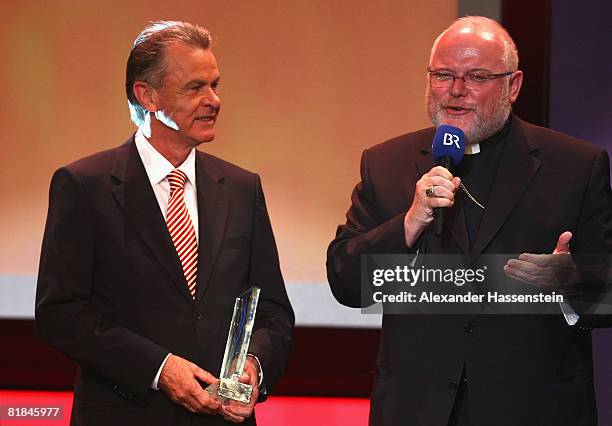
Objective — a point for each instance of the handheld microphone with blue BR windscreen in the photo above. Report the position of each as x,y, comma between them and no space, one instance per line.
448,148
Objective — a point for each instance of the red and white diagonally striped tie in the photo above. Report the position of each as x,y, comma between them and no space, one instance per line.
181,228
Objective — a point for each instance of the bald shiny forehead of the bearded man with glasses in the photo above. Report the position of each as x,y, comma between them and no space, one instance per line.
468,46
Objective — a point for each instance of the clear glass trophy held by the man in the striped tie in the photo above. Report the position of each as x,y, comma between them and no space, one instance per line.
236,348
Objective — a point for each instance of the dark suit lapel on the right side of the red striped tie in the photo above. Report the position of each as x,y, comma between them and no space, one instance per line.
213,206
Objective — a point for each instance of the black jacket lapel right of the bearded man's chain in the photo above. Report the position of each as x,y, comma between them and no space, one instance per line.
516,169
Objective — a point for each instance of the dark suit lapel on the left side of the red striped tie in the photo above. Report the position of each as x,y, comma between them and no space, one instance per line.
133,192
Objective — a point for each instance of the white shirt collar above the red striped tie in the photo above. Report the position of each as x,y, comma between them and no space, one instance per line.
157,166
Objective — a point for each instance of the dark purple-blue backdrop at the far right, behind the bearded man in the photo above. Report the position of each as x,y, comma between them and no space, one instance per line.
581,105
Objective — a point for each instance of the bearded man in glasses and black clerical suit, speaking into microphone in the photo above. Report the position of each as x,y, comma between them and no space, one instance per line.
520,189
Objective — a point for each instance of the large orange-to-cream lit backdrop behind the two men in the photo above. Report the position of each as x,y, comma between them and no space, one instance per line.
306,86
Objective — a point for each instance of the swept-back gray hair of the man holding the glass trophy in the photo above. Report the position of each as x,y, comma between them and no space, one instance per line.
147,57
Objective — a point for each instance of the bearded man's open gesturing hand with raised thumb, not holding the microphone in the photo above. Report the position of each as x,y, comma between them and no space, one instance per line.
555,271
